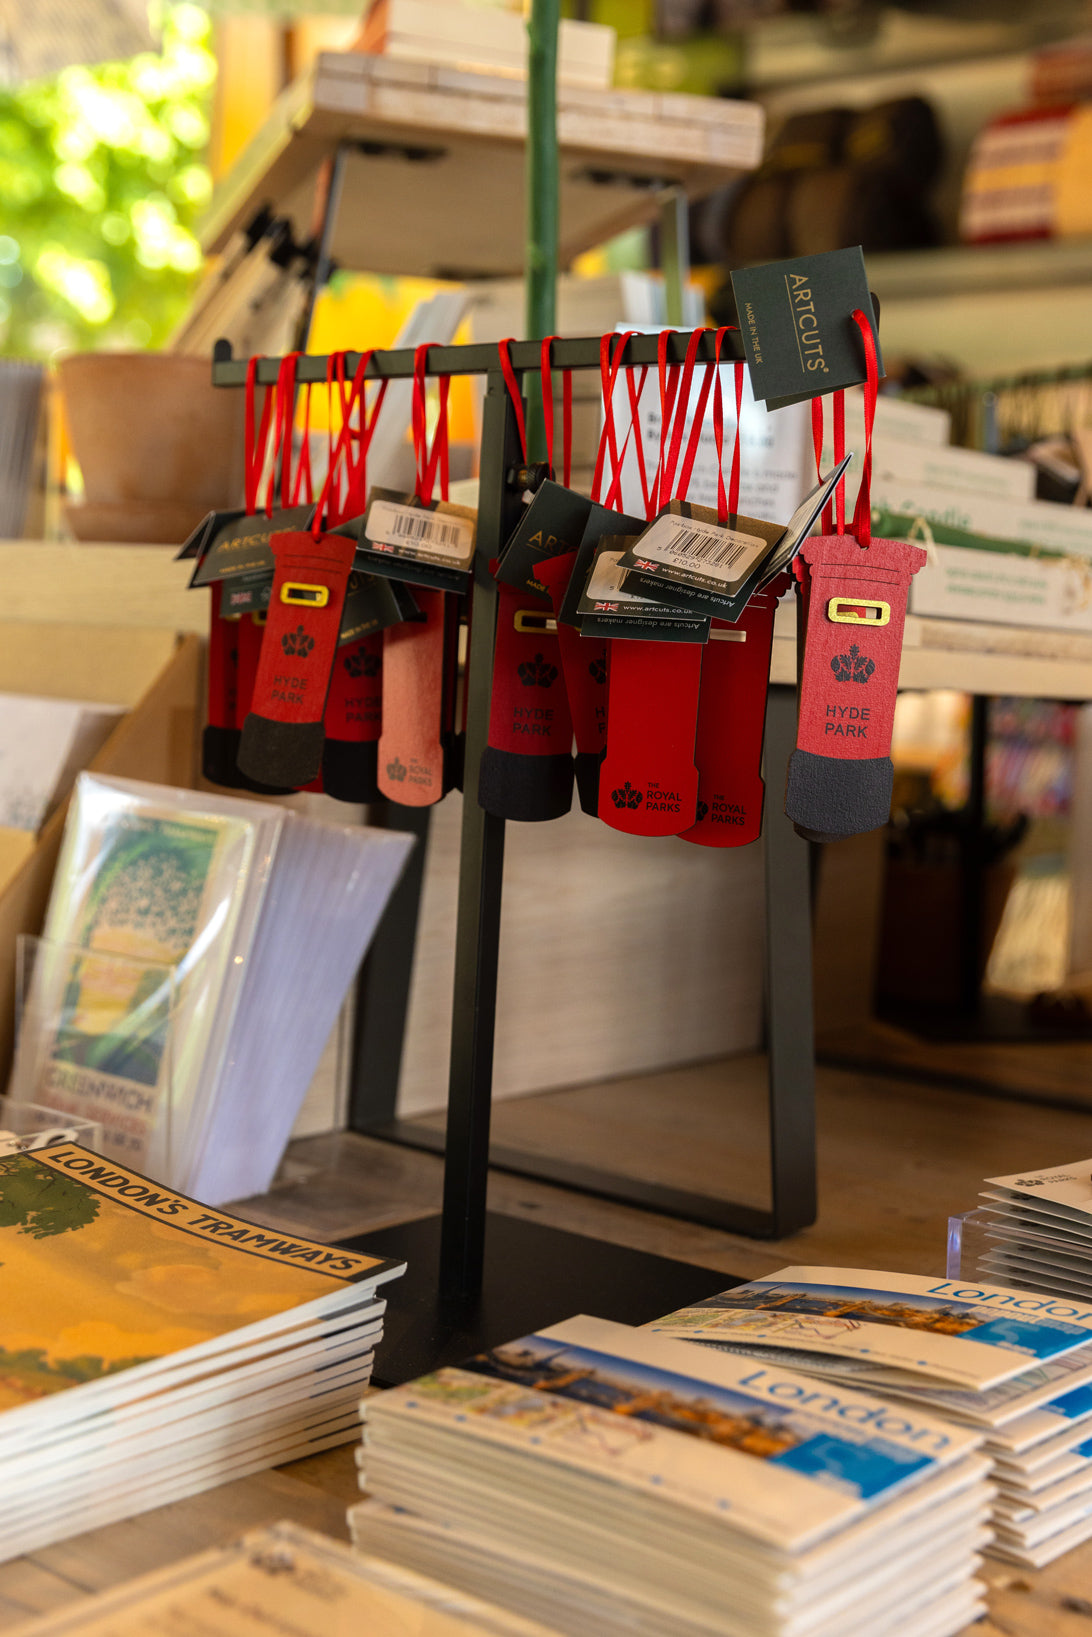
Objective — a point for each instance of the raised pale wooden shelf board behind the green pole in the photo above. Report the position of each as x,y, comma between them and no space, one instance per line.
436,186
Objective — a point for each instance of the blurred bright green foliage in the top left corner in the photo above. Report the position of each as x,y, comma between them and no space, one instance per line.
102,179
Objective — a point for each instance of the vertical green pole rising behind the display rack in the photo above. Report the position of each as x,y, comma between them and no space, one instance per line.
543,197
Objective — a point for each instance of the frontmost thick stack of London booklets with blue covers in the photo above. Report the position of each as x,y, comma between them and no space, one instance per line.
615,1482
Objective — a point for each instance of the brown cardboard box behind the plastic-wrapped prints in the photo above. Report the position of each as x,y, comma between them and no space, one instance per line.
155,674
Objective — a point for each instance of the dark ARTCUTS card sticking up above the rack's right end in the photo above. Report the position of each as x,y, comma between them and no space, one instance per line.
798,328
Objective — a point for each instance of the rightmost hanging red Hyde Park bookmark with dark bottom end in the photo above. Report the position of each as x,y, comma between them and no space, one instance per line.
855,603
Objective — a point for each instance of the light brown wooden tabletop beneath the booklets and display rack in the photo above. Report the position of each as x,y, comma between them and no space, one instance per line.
341,1184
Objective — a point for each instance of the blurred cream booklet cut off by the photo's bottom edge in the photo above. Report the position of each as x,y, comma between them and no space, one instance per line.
282,1579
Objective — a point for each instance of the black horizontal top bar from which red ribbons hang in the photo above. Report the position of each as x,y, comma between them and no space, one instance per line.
579,353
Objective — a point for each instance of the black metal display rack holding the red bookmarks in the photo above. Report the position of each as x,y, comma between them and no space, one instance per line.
464,1294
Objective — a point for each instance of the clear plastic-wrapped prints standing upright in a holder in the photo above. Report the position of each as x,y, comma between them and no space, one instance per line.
196,955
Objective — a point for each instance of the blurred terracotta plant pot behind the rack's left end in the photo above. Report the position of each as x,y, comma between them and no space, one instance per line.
150,428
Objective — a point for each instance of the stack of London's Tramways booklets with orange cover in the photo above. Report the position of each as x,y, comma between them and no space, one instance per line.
151,1348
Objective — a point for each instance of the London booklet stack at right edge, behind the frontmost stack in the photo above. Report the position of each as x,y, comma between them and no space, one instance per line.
1013,1364
